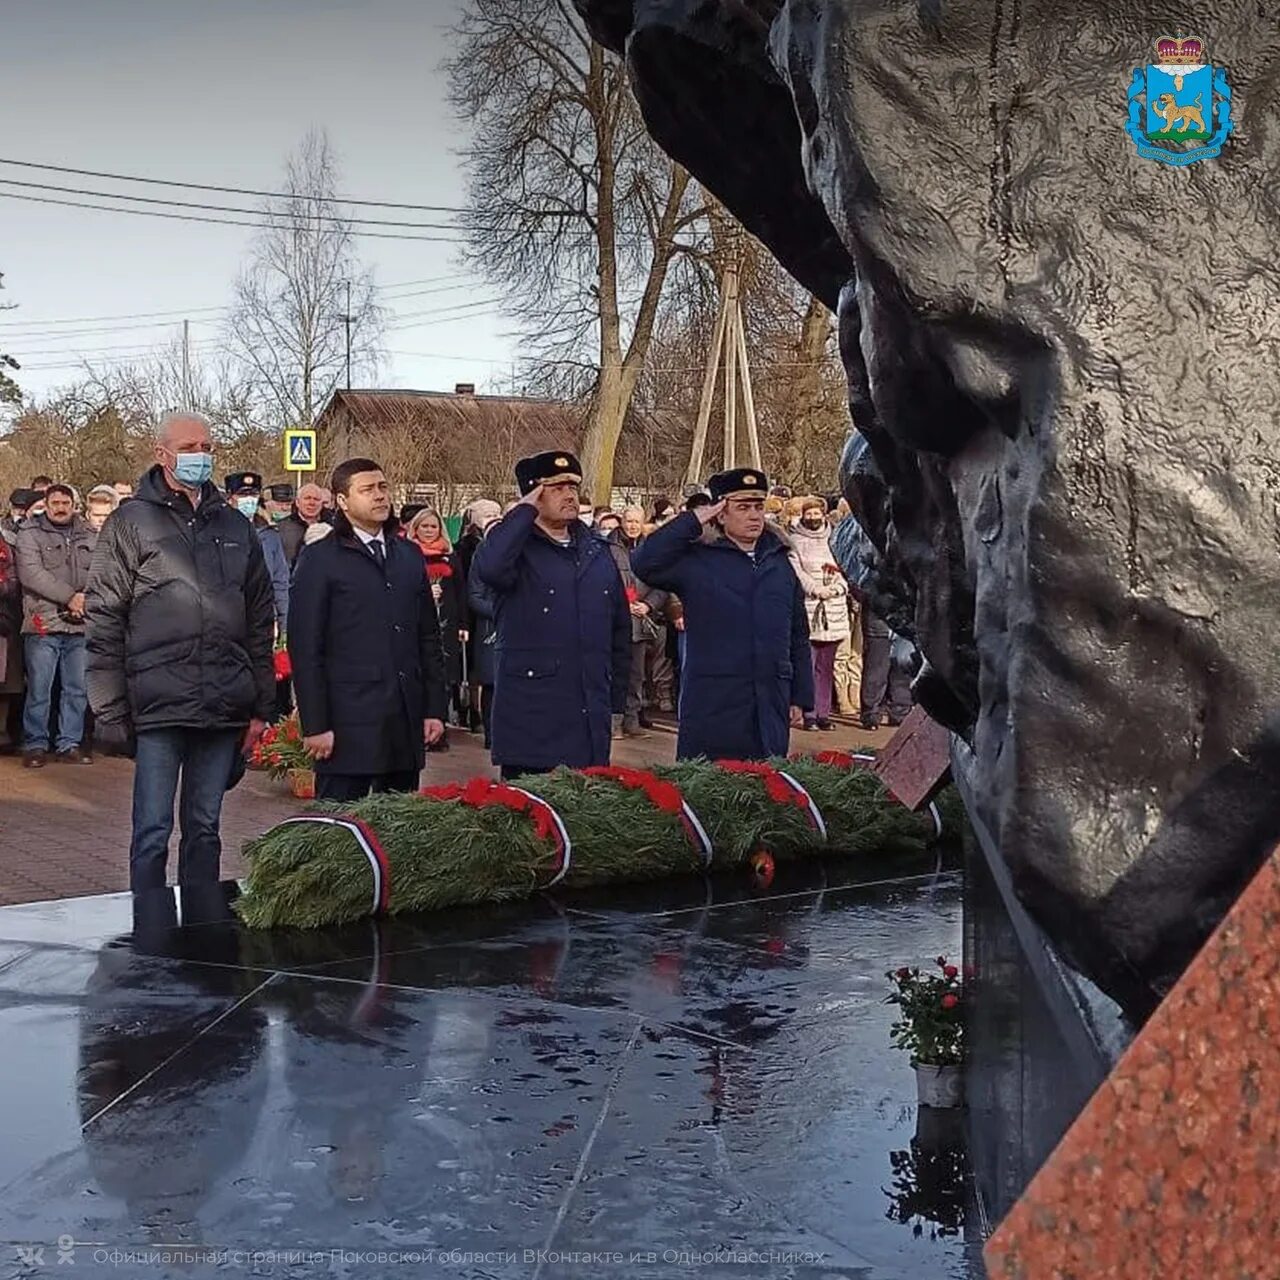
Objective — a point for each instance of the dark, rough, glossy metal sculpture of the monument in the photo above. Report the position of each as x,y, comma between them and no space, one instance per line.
1064,368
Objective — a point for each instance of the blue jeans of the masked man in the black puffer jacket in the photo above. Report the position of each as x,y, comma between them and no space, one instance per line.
204,758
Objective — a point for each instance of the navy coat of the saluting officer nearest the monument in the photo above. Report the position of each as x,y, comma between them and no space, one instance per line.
747,639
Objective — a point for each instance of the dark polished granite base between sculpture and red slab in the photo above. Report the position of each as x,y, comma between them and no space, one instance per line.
1040,1037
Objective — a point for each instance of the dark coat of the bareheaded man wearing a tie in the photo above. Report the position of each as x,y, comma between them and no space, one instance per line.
365,648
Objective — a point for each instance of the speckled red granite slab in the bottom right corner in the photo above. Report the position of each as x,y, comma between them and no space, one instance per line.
1173,1171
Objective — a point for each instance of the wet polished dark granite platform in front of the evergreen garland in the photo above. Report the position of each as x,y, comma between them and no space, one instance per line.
685,1080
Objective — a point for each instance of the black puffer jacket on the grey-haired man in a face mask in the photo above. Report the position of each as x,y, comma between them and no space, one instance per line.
180,615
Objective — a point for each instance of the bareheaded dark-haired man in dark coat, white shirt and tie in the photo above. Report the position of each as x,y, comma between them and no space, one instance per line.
365,647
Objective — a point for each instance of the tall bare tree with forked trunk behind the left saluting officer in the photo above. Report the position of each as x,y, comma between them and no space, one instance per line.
572,207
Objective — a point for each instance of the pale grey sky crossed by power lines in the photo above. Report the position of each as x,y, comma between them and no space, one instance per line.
220,92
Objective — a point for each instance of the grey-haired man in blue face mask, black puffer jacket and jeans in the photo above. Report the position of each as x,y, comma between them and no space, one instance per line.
180,627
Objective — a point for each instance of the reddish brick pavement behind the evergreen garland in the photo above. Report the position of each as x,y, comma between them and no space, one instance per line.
65,830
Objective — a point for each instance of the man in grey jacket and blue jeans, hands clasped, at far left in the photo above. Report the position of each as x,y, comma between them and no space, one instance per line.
54,554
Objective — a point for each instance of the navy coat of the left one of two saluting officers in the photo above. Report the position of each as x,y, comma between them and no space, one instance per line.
564,643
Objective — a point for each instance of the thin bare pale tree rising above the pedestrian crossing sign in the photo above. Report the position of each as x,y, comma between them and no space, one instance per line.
289,323
